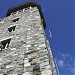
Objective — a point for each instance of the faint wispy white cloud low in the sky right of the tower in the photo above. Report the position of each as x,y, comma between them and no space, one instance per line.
65,61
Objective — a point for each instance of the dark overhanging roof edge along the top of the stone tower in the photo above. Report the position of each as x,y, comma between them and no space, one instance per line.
25,5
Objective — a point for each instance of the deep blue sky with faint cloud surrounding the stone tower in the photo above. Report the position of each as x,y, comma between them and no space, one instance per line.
59,16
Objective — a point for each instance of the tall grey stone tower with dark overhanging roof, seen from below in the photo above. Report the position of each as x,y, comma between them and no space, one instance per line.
24,49
